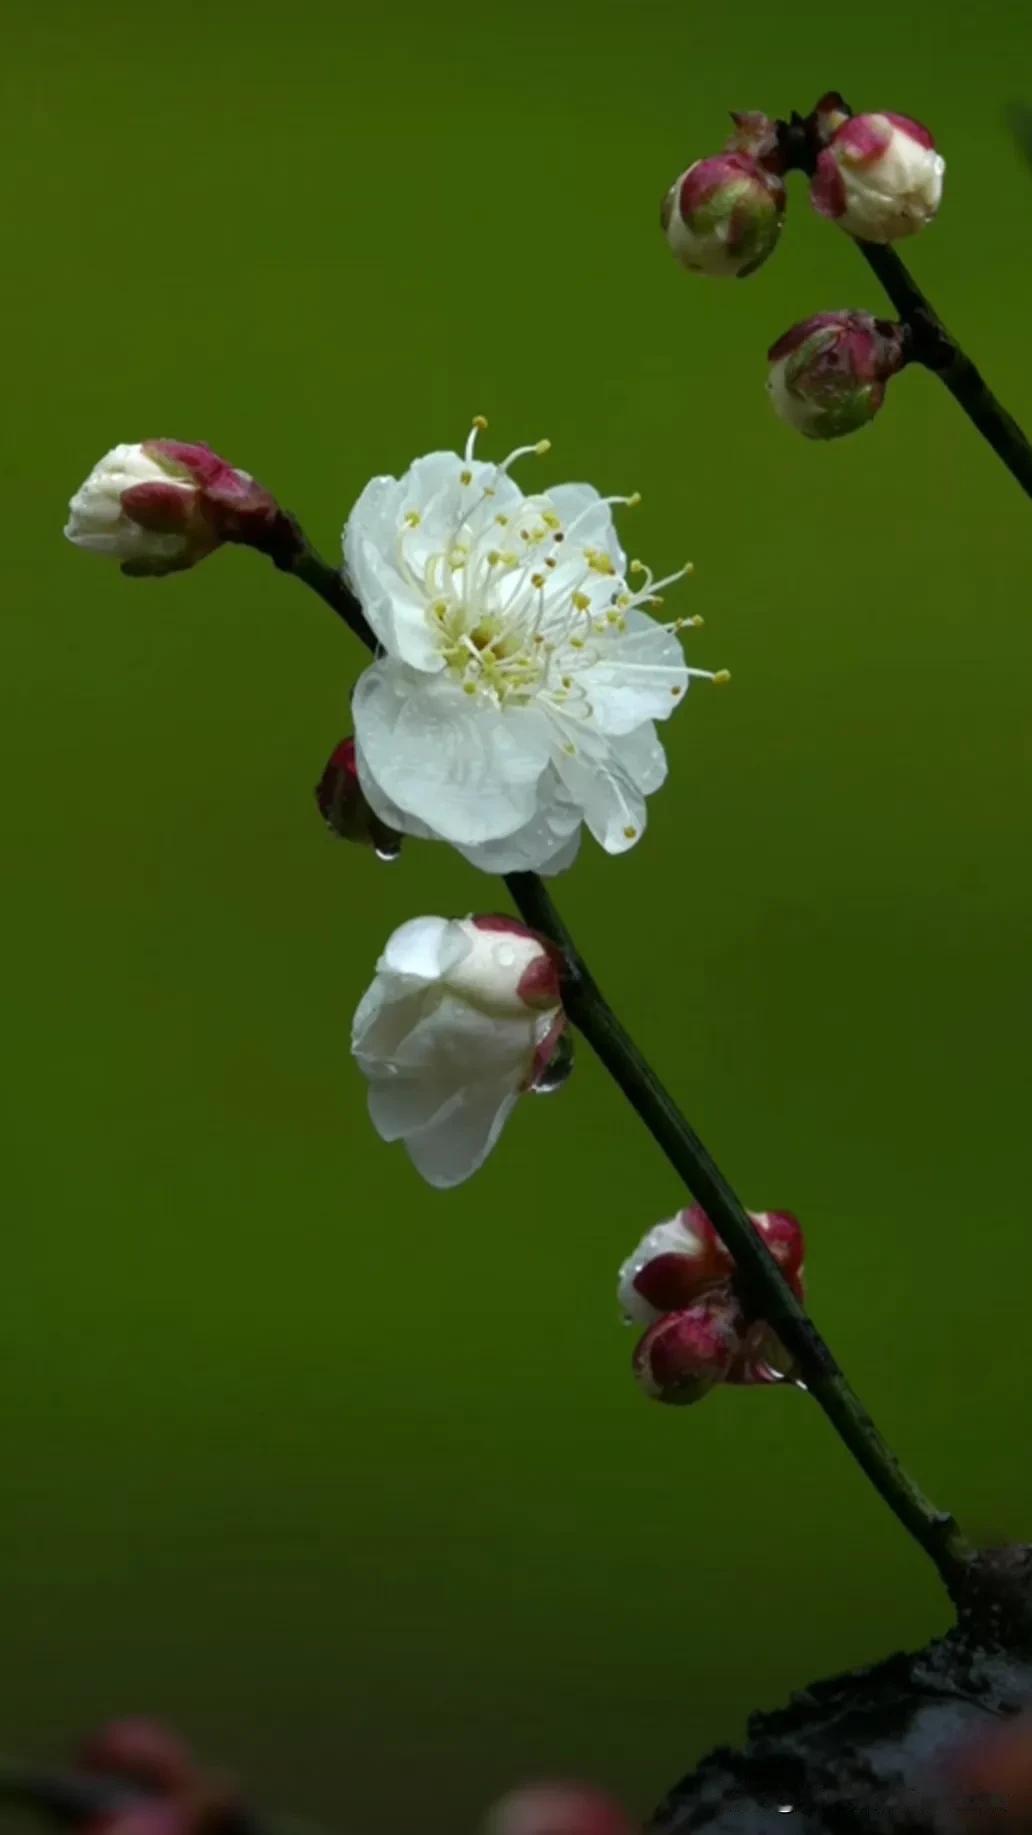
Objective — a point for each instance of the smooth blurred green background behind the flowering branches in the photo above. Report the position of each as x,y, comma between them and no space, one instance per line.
346,1476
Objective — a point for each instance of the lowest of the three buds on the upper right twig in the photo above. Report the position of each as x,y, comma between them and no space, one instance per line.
829,373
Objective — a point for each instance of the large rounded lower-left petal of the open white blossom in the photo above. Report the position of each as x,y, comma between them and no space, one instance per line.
467,772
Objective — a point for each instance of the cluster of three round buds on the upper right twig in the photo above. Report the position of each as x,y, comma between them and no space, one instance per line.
877,177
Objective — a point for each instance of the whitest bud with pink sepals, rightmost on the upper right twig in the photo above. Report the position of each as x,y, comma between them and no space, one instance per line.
879,177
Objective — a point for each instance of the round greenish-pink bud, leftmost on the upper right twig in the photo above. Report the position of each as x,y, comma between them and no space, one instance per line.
724,216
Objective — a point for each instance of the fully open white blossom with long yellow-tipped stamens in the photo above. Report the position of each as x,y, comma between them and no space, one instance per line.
521,676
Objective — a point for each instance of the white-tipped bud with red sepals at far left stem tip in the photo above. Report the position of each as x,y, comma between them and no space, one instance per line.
163,506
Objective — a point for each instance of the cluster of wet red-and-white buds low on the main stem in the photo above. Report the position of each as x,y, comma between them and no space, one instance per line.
680,1284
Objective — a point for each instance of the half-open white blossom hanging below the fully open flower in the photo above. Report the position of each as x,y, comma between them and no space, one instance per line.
462,1019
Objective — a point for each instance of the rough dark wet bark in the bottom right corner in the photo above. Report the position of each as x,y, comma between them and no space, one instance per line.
881,1750
